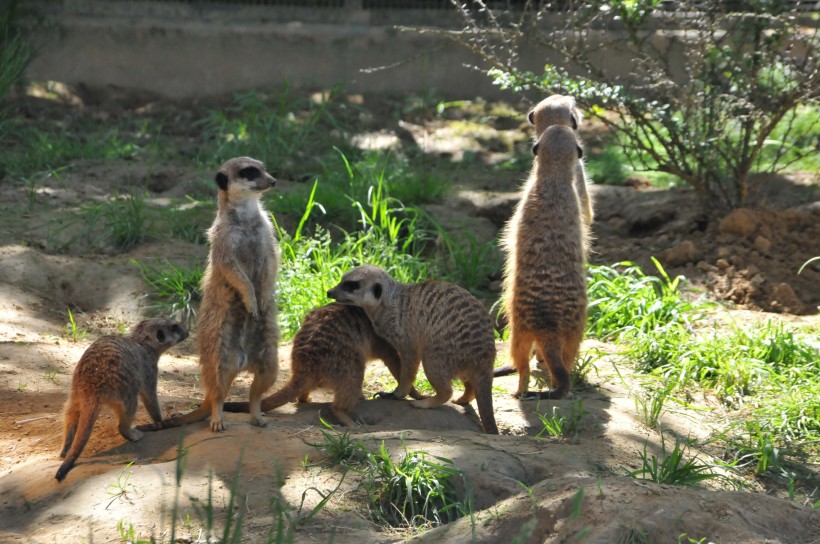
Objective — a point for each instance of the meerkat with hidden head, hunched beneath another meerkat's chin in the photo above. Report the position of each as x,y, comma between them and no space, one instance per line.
331,350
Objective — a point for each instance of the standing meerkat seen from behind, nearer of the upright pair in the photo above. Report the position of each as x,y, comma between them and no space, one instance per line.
544,278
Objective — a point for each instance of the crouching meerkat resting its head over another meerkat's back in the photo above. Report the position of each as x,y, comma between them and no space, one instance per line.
438,324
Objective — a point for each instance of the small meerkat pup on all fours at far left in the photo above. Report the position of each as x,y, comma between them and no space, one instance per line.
114,371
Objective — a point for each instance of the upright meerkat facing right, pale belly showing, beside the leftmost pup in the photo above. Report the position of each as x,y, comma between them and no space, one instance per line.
236,328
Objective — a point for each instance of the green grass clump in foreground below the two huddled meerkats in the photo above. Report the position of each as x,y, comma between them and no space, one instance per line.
417,491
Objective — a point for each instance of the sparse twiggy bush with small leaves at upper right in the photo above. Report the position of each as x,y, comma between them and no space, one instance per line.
736,104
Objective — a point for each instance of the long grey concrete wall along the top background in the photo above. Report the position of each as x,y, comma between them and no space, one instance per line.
183,50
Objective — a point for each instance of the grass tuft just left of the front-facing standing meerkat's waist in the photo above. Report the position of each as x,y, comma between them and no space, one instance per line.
175,290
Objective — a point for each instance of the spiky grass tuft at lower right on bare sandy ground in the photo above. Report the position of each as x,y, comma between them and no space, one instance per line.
672,468
